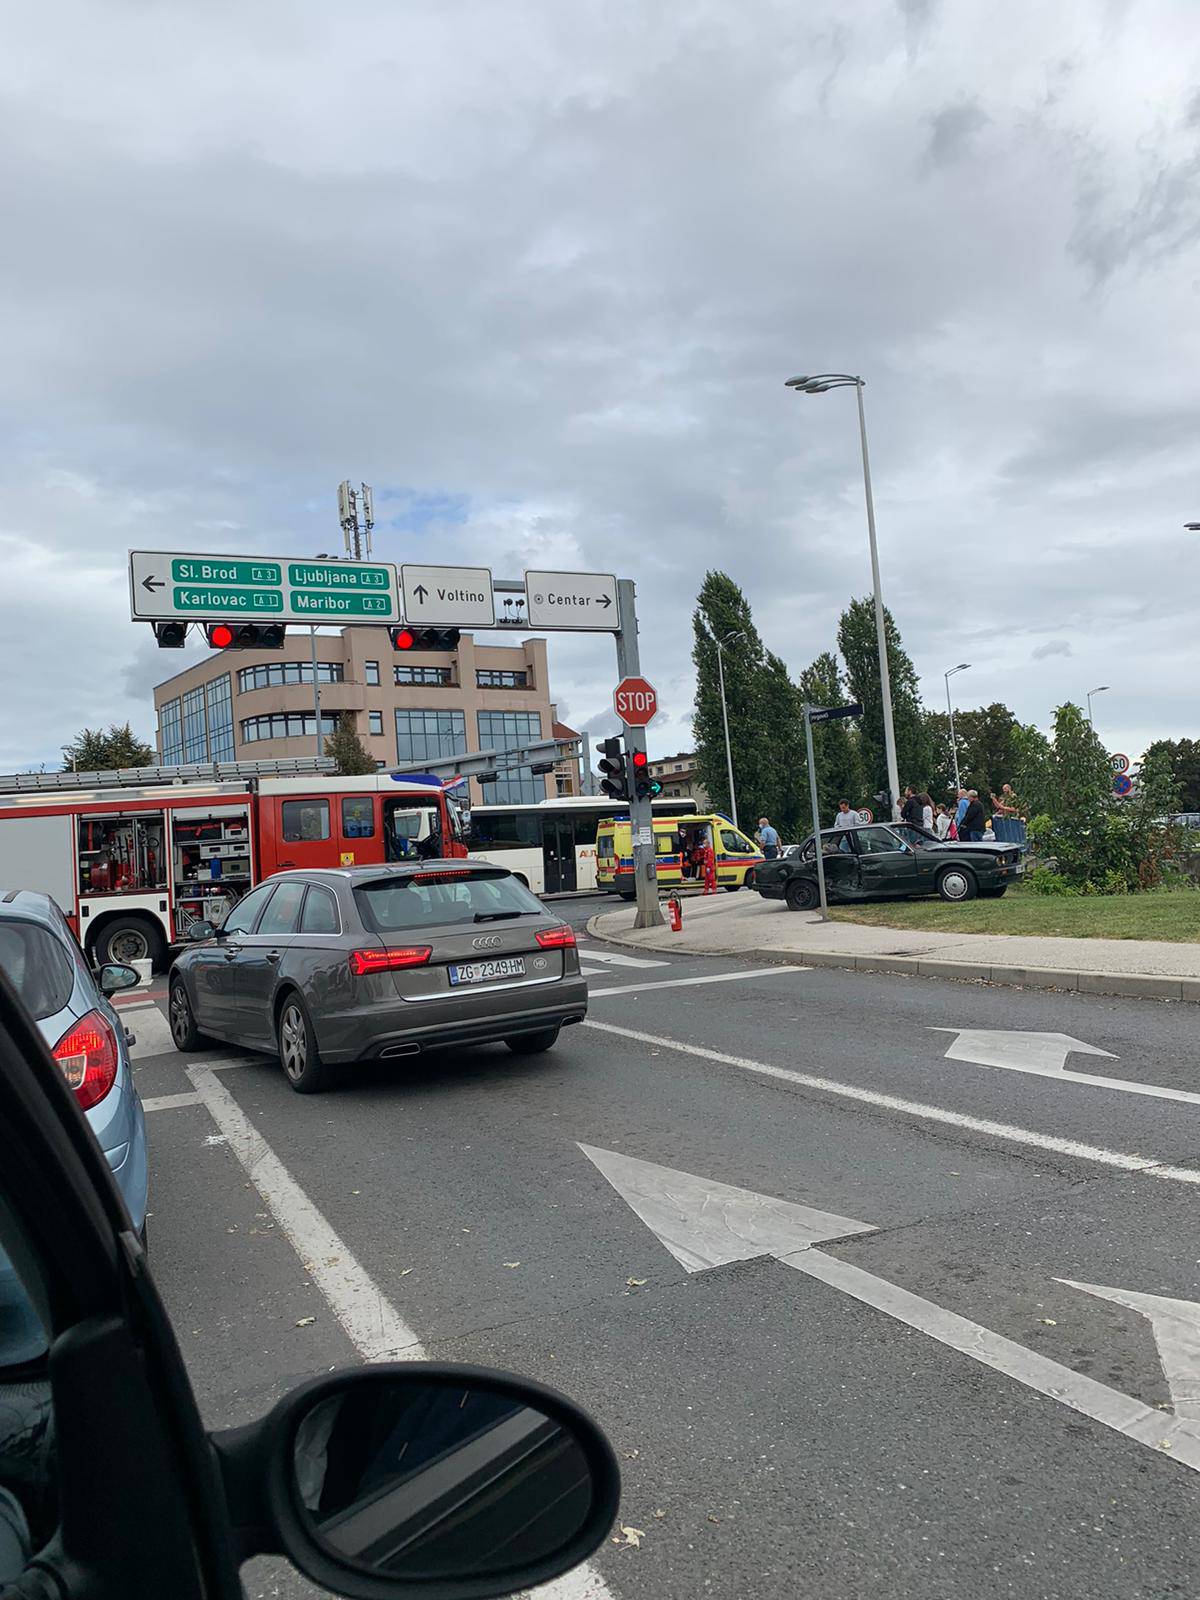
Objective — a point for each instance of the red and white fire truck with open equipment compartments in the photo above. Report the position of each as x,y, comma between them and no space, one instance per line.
137,857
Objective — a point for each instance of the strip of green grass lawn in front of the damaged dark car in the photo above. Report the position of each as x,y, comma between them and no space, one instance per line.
1161,914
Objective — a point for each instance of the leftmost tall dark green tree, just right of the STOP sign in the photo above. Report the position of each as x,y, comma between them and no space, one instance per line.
724,612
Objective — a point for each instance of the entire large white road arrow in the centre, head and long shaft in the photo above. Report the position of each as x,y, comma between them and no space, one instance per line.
706,1225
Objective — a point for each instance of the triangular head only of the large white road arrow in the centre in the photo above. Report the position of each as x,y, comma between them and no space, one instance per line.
708,1225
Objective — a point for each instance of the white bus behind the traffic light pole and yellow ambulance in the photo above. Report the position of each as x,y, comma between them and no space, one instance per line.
551,846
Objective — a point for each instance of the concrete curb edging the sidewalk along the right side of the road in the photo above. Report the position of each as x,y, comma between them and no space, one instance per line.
1142,986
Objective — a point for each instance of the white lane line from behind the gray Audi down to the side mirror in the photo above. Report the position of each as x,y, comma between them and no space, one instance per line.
372,1324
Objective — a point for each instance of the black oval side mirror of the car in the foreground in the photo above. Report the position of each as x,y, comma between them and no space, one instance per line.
422,1481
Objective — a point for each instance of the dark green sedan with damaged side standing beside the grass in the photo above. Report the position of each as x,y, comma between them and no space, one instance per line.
890,862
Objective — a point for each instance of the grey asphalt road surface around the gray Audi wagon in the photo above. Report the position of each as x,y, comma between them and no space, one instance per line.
780,1434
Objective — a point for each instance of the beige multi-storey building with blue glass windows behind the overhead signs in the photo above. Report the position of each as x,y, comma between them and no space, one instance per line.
409,708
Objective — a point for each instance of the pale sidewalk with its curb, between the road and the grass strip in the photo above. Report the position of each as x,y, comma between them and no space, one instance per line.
748,926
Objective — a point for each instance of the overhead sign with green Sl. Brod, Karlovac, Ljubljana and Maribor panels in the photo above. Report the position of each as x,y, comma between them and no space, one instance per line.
180,585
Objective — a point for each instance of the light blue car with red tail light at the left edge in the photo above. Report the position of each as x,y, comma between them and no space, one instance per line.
71,1006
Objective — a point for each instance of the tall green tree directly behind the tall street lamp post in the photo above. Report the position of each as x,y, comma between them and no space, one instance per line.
860,652
